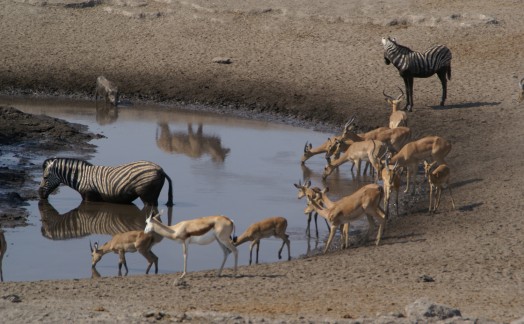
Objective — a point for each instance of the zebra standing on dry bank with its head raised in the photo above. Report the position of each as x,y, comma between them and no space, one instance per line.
411,64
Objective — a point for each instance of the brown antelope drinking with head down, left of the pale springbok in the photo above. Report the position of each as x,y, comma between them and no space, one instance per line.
131,241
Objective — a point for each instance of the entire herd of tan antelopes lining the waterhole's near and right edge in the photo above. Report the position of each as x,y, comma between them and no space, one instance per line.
389,152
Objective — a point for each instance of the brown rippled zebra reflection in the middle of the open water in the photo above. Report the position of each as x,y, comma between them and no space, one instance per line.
192,144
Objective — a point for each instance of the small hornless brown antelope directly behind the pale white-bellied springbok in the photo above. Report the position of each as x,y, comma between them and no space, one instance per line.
273,226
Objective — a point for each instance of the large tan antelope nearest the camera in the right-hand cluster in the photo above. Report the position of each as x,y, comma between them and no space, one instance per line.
366,201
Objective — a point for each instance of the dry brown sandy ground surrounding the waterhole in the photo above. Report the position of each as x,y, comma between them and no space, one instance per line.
320,61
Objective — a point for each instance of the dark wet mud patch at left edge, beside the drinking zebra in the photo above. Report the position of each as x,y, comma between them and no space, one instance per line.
25,141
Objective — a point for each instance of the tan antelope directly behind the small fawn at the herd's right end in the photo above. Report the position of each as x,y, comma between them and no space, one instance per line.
411,155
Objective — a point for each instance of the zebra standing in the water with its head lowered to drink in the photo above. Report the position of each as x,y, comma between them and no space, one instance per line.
121,184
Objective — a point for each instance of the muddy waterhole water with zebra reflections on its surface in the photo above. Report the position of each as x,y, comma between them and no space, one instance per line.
241,168
